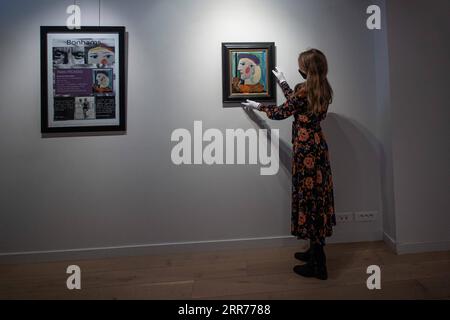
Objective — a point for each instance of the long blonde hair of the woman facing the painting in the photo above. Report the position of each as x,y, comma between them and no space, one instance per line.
316,88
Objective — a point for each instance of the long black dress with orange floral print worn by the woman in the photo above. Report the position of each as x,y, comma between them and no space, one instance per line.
313,215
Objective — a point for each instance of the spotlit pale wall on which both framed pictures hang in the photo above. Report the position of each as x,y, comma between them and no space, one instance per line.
106,191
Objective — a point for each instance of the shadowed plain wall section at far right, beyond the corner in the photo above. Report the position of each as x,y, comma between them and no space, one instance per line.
419,53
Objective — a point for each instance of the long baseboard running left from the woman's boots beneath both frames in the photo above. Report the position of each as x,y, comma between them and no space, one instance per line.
145,249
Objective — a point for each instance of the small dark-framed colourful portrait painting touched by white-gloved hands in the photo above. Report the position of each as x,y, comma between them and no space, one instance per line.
247,72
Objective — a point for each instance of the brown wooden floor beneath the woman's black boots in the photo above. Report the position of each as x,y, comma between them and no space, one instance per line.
236,274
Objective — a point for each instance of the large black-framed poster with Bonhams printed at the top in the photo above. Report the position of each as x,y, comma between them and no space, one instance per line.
82,79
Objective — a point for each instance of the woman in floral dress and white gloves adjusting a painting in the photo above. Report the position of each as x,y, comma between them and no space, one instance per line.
313,215
